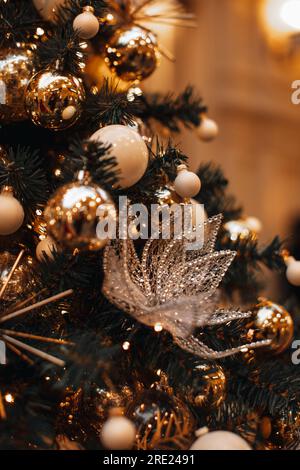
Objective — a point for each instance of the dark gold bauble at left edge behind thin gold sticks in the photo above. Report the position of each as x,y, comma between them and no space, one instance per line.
21,279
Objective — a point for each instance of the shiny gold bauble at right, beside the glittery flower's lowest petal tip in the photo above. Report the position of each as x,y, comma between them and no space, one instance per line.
275,323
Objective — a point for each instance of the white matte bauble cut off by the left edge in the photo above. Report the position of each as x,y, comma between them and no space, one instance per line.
11,212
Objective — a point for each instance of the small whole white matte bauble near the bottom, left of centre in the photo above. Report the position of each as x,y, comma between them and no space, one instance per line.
118,433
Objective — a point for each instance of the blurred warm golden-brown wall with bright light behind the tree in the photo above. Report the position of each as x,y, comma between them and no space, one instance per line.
243,58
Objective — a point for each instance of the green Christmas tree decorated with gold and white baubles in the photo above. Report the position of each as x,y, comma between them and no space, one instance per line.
112,335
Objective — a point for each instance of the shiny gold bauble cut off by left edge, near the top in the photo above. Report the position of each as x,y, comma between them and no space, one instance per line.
16,69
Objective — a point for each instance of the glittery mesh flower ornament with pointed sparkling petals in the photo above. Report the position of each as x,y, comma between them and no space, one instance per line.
172,288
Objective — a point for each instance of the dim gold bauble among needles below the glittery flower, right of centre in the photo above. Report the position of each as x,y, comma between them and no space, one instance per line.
209,386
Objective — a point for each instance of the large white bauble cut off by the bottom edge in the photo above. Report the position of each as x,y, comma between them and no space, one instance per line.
220,440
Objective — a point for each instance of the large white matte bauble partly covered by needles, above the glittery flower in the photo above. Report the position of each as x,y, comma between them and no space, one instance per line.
129,149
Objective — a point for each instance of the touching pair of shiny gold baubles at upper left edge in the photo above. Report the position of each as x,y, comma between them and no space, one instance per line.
50,98
